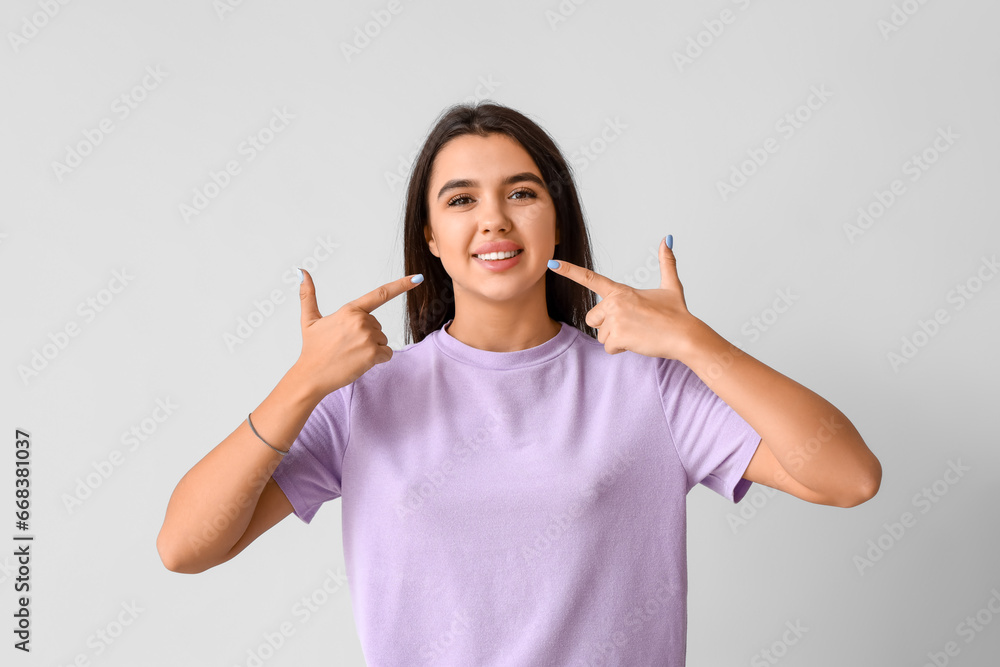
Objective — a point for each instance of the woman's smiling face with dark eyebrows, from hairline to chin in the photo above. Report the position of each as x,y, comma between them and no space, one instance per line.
487,189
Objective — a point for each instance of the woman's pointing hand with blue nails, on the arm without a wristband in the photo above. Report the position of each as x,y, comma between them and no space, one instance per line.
652,322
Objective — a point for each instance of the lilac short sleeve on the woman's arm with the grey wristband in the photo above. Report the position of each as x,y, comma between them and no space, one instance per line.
310,473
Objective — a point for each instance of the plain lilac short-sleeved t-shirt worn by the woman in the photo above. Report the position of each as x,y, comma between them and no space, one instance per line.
518,508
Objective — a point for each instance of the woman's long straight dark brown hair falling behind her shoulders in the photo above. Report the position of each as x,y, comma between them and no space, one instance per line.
432,304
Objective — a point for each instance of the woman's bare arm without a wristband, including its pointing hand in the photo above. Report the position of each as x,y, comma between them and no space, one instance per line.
808,447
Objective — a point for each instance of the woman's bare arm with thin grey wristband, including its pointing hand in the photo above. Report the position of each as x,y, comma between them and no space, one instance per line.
228,499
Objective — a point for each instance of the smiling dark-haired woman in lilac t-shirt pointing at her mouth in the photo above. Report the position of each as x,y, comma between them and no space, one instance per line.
513,481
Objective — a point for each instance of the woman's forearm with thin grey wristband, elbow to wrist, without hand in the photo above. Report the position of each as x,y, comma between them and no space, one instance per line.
213,503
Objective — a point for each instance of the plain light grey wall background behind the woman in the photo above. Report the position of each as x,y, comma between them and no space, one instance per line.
324,176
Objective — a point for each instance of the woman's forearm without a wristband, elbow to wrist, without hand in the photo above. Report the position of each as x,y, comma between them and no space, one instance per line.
813,441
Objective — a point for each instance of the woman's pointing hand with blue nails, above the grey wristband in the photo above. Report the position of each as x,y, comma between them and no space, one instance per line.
341,347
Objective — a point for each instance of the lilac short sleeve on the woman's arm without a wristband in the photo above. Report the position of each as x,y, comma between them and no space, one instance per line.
713,442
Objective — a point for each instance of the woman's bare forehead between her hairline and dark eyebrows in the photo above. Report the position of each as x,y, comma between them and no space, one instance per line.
480,158
